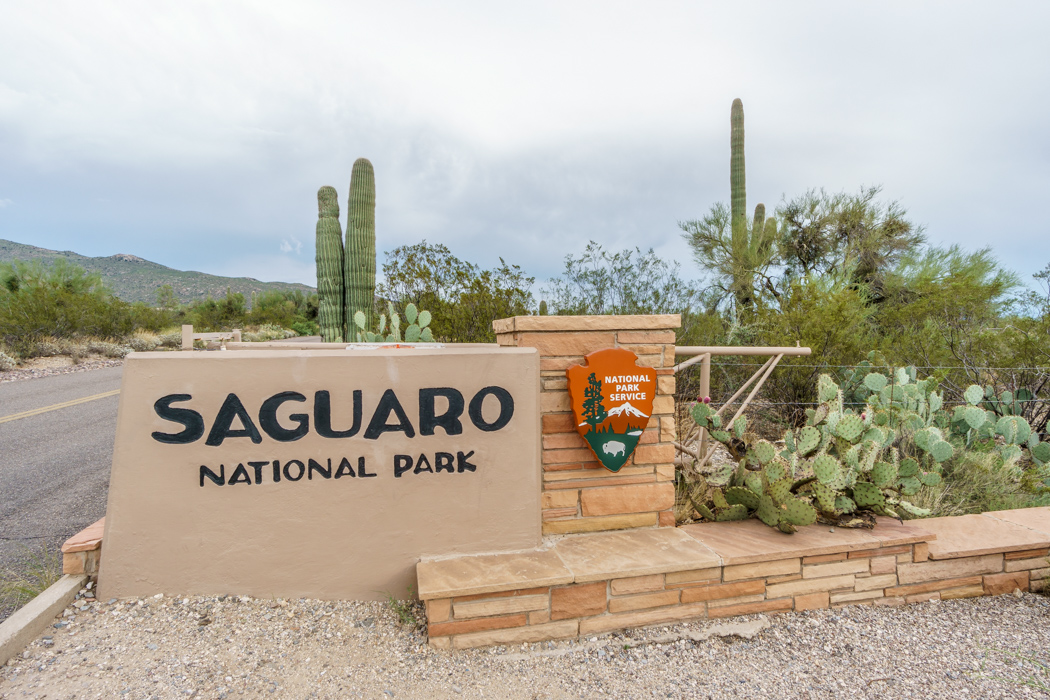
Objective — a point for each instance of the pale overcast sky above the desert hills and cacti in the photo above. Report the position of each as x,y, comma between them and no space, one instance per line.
197,134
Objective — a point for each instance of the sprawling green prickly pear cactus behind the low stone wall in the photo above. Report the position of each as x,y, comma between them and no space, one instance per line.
846,466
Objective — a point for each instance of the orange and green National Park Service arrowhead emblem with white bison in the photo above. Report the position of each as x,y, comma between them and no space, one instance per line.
613,399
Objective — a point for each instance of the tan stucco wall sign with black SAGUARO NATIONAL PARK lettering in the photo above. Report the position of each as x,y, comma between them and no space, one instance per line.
318,474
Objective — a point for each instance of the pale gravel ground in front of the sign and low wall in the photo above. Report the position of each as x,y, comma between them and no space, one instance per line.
227,647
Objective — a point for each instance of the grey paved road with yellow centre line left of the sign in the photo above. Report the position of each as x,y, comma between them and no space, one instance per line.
54,465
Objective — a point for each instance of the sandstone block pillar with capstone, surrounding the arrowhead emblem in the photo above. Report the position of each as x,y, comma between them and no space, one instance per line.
579,494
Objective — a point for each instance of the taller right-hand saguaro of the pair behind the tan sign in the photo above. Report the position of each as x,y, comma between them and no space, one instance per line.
361,250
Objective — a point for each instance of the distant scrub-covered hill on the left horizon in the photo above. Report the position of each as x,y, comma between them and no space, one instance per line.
135,280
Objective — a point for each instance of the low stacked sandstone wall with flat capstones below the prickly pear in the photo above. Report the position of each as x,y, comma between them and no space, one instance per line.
586,585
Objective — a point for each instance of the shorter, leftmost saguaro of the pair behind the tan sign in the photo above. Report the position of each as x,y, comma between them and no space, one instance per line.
330,267
